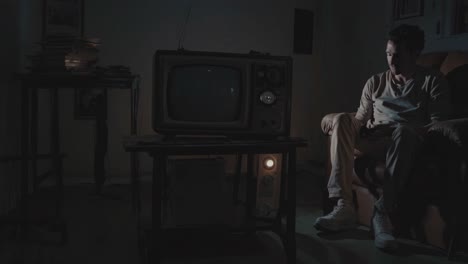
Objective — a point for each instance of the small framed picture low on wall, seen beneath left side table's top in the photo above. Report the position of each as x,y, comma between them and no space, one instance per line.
90,102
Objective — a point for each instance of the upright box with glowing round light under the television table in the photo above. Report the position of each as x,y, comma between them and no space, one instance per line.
268,173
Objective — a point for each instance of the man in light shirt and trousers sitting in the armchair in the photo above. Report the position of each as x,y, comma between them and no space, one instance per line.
396,108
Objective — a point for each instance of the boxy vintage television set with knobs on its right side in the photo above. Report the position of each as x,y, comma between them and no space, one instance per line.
225,94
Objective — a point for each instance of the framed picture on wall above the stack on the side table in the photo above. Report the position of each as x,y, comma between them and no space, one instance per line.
63,17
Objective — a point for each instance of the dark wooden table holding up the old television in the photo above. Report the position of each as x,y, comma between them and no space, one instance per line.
160,148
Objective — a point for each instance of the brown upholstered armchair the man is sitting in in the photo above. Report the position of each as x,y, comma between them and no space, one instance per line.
441,167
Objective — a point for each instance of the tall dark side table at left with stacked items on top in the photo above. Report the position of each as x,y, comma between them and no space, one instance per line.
31,83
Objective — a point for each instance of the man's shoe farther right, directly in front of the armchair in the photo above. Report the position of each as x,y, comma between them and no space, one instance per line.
383,231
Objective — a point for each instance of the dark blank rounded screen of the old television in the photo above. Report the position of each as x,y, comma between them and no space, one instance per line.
190,87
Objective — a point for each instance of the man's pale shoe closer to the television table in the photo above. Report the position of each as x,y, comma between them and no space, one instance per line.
342,217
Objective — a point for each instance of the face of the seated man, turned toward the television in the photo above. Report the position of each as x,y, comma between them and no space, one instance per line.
399,58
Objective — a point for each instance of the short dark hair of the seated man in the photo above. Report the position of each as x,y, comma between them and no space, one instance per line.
409,35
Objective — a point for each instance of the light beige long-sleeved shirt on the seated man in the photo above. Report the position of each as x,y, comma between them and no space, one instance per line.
422,100
